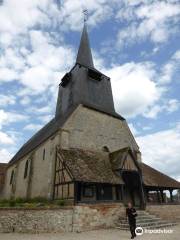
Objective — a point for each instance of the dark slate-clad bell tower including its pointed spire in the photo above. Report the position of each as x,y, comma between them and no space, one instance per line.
84,84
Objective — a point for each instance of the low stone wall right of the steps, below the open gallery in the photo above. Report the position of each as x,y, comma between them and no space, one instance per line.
169,212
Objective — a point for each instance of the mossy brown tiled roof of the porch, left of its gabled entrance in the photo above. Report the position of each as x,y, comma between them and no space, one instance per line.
88,166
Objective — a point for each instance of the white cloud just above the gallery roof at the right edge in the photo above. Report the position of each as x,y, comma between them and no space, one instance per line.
161,150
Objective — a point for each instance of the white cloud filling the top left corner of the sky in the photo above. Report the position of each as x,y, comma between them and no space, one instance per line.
17,17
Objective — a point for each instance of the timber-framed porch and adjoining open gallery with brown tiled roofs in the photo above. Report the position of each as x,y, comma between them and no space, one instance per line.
83,176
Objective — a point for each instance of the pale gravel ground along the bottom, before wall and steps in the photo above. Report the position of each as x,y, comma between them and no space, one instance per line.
111,234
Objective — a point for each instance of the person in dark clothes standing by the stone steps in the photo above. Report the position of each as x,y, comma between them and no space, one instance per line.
131,214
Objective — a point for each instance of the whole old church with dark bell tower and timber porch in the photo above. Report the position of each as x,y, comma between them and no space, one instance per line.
86,153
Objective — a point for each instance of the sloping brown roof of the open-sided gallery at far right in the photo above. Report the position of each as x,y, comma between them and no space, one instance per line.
155,178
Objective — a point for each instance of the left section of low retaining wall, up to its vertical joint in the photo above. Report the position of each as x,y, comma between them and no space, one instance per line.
35,220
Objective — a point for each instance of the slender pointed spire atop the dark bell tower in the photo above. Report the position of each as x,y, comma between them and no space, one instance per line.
84,56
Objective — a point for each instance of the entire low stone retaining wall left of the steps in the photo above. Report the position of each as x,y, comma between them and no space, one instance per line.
78,218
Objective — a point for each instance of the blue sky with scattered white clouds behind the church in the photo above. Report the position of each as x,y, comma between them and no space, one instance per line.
136,43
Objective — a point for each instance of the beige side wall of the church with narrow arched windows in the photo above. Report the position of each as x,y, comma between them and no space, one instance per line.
40,178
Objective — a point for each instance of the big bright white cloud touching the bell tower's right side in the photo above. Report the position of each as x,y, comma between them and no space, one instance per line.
133,87
